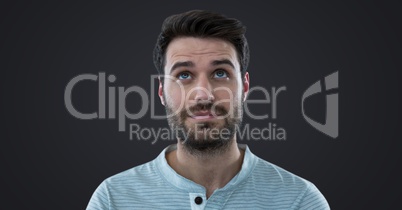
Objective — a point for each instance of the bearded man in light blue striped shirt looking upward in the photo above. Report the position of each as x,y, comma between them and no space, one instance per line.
202,58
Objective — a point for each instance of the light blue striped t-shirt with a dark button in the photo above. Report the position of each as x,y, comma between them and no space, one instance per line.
258,185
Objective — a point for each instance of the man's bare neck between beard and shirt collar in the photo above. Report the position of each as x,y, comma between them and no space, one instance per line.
212,172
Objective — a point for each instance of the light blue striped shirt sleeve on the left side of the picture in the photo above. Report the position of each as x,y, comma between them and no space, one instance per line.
100,198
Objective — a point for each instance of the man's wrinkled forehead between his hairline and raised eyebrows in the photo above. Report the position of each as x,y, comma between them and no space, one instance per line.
199,50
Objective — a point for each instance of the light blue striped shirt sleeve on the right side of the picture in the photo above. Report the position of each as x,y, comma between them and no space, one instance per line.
313,199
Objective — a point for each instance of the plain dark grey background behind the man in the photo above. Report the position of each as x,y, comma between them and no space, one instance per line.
51,160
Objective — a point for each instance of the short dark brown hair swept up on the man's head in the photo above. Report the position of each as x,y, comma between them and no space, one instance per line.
202,24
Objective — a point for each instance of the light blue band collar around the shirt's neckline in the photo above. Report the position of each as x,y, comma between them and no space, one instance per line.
187,185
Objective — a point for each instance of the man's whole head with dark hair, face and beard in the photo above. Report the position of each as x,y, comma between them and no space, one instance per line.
203,58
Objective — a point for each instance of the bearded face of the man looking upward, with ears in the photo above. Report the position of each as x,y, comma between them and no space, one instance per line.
203,92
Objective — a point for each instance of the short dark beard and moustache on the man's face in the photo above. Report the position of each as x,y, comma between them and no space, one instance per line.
212,141
